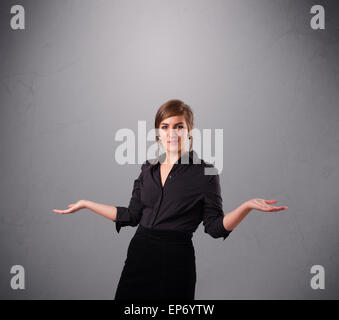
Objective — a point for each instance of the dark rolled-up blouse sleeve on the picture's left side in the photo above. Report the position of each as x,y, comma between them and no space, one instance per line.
131,215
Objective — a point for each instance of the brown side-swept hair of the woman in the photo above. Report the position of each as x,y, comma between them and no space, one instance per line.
173,108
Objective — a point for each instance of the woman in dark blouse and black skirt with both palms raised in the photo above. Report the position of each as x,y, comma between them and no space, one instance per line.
170,198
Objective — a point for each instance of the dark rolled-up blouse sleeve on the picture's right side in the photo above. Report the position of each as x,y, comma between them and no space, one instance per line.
213,214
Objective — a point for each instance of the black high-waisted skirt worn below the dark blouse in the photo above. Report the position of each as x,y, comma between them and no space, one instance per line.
160,265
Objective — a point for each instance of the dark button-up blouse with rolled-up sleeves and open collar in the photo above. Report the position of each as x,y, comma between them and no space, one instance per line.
189,197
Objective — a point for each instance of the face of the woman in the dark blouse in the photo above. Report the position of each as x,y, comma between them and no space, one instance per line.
173,132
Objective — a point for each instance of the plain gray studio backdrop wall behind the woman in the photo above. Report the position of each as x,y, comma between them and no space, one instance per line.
81,70
